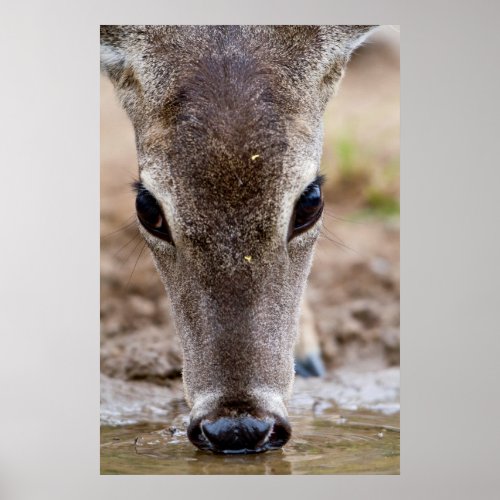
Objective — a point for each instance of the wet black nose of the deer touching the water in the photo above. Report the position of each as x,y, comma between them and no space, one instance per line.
239,435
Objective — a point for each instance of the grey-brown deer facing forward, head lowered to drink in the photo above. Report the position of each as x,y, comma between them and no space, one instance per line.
228,130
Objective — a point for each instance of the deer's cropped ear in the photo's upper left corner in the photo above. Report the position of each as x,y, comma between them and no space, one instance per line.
113,55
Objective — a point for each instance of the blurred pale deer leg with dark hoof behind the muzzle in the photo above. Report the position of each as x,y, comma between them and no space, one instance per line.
308,362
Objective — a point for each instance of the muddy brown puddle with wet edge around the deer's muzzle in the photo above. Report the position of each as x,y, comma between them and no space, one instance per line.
345,424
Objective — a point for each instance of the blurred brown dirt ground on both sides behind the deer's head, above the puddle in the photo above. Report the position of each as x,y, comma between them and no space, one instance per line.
354,284
